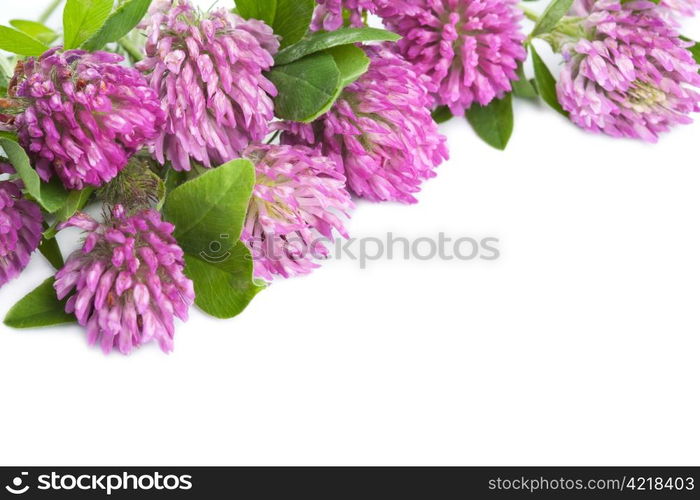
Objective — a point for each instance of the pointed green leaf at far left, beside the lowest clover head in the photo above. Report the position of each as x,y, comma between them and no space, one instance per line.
39,308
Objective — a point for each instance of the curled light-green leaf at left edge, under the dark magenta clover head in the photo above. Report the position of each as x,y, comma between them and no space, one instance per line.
50,195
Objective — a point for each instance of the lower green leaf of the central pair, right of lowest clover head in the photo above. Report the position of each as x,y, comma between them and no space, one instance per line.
225,287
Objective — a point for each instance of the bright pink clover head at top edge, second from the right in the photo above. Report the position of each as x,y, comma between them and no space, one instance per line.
470,49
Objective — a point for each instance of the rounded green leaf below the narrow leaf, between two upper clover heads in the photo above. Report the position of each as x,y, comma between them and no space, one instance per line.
306,88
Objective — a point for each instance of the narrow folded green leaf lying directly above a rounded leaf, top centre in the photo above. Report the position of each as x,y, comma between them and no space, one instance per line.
325,40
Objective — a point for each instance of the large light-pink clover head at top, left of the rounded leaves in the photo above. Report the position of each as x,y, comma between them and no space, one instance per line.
208,70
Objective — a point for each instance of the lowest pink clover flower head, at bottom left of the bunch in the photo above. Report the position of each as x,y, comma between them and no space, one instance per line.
126,284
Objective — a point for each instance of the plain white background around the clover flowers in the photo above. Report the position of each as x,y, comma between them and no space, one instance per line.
579,346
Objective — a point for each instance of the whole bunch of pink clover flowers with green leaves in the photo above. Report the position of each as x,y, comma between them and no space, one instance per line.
204,154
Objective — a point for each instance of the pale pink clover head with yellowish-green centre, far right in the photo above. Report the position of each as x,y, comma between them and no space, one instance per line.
631,75
